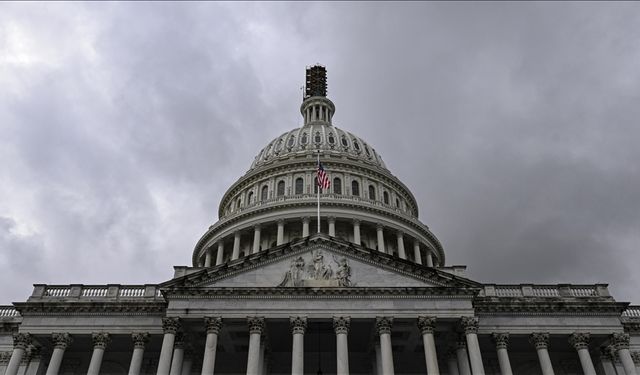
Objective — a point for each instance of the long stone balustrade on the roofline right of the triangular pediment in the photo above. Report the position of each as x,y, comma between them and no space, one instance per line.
546,291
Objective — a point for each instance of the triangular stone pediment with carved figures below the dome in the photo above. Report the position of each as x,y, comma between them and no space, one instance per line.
320,262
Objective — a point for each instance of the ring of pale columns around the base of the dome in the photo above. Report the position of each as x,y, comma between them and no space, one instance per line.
214,255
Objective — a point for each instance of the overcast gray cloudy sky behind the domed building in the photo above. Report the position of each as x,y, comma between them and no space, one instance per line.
514,124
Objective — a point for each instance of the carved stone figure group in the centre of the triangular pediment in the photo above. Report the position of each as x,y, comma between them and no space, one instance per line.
314,272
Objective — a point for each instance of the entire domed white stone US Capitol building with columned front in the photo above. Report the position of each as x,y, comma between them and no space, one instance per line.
369,293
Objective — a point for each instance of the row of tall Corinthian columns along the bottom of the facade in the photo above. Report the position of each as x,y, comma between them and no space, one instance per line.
465,359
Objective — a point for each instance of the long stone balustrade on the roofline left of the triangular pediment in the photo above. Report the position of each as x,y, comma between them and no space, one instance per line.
78,291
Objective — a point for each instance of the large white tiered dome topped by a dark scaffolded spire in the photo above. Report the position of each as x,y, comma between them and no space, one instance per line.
276,201
